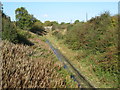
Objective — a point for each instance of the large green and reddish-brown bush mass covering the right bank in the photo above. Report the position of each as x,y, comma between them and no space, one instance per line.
98,36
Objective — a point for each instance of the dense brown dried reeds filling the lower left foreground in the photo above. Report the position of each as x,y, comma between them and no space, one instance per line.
21,71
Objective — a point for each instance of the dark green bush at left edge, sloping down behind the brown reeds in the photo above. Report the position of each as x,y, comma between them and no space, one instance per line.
10,33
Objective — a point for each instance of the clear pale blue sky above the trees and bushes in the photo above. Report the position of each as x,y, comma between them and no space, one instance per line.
61,11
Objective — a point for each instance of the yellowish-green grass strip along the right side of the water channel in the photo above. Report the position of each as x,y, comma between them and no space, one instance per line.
84,64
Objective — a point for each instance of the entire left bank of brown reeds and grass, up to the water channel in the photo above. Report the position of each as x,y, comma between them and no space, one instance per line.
31,67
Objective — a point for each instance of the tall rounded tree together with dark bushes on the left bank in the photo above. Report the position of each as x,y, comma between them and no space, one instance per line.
11,30
